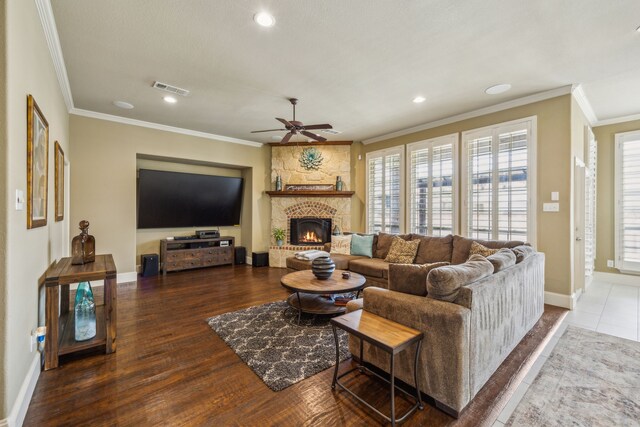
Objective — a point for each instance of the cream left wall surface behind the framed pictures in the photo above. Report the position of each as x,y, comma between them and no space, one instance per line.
29,70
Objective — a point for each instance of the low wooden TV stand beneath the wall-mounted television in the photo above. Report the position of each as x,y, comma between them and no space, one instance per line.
176,255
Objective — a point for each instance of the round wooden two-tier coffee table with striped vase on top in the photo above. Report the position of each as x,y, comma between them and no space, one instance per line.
308,291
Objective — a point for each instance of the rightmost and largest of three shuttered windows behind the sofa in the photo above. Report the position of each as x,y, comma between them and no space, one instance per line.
498,178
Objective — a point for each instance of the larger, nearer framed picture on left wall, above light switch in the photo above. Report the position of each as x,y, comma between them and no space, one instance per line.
37,165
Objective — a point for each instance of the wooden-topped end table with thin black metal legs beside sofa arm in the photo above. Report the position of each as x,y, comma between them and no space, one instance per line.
387,335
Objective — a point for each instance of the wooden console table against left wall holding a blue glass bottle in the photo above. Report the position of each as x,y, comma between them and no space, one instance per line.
60,321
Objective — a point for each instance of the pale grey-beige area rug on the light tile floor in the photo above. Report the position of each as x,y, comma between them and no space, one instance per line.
590,379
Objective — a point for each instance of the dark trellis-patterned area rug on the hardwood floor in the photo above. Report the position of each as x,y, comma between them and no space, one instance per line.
281,353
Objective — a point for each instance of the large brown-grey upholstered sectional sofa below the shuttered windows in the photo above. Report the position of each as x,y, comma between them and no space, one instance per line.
473,311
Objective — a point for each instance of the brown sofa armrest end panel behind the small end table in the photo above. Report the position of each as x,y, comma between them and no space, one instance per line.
444,358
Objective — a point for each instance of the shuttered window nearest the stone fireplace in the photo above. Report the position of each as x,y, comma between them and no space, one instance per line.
385,191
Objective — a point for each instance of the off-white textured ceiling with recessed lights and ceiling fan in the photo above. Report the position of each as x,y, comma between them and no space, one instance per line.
356,64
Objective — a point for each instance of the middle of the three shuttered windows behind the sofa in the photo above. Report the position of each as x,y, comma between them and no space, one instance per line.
433,186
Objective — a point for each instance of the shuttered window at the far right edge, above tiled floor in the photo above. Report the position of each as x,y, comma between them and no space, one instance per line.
627,190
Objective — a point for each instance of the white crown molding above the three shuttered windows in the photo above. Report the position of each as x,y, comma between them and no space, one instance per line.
530,99
